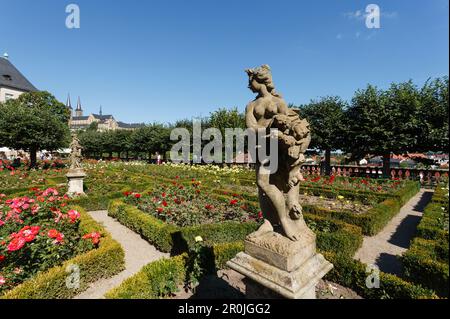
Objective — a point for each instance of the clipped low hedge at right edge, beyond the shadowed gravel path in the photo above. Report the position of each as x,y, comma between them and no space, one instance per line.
426,261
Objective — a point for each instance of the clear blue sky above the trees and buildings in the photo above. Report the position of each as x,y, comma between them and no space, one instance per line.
146,61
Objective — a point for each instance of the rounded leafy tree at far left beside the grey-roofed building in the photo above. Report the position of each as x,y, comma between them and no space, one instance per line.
33,122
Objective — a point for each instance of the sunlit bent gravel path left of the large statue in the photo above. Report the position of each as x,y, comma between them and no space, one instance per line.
138,253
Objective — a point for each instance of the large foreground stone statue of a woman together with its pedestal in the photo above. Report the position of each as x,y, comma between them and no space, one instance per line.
280,258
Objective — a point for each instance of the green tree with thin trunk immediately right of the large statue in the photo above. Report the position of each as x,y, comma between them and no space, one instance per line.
326,119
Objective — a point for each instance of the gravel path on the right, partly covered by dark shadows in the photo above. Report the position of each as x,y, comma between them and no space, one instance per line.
393,240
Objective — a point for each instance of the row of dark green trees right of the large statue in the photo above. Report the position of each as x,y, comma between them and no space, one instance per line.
403,118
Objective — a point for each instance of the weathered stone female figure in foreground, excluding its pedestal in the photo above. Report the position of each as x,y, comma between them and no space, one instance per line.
278,192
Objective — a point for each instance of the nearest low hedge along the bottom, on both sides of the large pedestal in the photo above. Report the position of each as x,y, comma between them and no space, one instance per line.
162,278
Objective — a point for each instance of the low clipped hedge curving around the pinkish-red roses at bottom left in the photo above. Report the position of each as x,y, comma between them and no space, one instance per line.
102,262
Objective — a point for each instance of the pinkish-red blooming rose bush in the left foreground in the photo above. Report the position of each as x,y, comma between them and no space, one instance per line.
37,232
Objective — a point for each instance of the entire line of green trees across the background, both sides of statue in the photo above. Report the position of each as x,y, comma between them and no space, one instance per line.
402,118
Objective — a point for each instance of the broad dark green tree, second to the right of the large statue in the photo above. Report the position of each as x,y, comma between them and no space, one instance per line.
383,122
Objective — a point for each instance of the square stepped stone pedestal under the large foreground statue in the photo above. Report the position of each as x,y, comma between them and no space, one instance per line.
276,267
